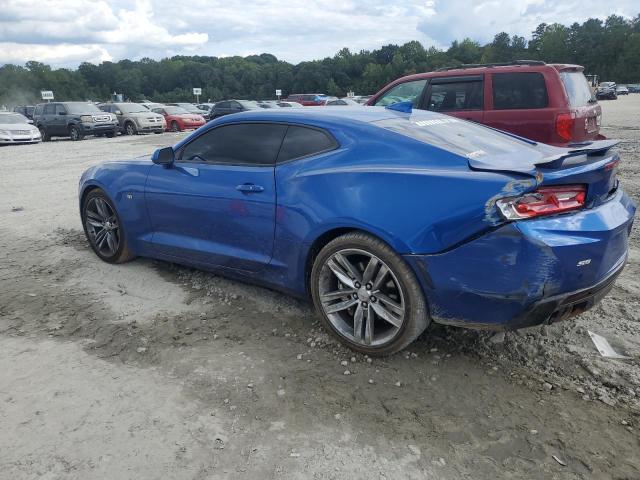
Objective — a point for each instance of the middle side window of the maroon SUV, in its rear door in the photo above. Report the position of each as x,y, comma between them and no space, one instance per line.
452,96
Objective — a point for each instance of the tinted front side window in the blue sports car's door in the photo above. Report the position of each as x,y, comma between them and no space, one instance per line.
237,144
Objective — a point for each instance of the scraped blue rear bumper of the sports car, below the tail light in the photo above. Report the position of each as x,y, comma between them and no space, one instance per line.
530,272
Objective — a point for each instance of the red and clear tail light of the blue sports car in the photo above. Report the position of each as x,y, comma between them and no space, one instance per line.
544,201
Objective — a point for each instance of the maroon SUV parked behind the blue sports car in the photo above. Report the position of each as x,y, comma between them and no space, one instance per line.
549,103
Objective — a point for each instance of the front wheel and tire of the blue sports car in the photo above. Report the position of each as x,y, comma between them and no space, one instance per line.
108,240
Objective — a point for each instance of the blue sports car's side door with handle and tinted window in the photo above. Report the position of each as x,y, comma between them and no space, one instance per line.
216,205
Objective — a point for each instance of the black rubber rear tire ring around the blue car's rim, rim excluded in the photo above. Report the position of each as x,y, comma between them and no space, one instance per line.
416,315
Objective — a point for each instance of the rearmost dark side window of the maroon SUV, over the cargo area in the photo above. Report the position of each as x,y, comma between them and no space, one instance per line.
519,91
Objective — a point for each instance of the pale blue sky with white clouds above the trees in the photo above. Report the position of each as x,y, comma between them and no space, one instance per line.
64,33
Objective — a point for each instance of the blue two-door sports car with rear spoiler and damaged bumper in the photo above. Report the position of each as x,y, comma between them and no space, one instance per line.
387,219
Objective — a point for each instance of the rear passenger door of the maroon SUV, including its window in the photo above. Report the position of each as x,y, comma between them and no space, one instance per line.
460,96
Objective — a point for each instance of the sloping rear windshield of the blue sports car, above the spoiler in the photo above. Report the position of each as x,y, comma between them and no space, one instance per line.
454,135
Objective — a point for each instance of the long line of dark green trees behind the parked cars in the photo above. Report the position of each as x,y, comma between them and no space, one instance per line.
609,49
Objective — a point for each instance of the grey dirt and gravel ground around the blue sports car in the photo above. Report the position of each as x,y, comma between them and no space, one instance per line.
150,370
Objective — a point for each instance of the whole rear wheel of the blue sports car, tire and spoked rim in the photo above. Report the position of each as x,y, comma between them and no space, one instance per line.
404,305
